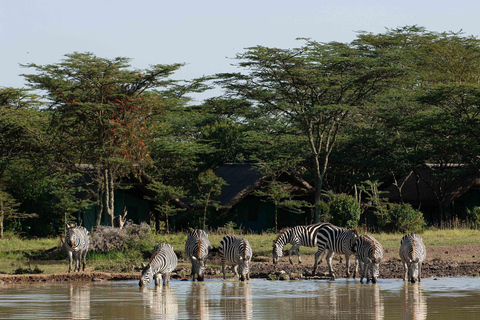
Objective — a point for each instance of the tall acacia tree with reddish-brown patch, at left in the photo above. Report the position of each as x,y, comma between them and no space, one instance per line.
102,111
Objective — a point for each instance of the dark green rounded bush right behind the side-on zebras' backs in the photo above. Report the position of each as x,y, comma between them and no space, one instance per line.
345,210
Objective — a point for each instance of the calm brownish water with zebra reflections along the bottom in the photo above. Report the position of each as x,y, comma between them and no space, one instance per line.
446,298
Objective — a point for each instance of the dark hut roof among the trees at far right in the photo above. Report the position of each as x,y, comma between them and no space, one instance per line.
424,191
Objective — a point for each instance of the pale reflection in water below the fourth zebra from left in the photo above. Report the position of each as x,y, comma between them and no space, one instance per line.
236,300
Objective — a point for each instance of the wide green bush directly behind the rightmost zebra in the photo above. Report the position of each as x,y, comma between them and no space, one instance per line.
402,218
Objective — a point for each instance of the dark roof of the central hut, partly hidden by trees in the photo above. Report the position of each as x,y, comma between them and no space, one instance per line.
243,178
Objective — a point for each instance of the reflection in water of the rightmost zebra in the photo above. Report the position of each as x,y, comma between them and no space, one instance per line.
414,302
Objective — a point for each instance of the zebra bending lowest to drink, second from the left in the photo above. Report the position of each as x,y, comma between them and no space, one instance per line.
162,262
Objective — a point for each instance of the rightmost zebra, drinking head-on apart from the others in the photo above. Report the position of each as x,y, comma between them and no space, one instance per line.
412,253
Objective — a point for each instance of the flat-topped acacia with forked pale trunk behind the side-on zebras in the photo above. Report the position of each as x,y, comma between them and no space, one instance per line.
313,89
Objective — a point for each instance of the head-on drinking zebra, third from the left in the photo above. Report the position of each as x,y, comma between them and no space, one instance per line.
197,248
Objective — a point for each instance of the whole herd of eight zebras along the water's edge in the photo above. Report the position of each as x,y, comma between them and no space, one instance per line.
234,250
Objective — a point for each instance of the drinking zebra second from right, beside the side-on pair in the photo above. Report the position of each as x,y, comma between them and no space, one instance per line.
368,254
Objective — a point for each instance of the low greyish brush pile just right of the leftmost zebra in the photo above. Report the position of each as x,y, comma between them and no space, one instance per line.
132,236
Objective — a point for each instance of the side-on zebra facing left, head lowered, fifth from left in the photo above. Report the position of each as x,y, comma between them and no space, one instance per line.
296,236
